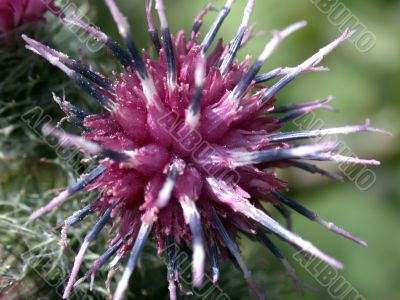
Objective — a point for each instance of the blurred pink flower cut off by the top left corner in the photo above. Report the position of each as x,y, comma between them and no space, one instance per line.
14,12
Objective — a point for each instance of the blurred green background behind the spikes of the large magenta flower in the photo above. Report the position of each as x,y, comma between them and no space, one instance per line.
365,84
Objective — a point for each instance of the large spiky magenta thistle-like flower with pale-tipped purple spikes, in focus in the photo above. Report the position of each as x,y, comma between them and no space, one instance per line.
186,145
